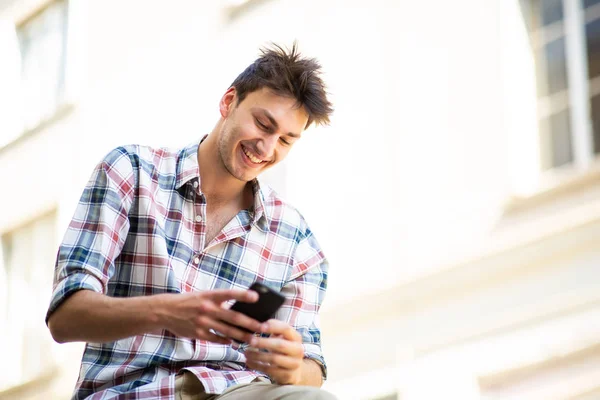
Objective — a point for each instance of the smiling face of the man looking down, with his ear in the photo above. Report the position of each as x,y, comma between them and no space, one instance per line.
259,132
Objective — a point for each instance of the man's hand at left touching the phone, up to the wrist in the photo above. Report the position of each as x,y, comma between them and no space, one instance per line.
193,315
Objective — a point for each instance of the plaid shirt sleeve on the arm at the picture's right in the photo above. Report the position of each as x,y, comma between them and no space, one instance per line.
305,292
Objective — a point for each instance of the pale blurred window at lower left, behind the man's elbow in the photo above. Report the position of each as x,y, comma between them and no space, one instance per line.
26,271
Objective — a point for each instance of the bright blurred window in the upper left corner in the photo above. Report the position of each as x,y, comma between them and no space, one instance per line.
41,43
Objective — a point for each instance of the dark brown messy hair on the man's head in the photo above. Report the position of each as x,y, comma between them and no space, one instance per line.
288,74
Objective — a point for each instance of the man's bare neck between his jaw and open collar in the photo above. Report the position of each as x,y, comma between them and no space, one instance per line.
217,184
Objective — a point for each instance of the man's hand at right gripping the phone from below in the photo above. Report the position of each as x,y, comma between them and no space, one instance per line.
284,357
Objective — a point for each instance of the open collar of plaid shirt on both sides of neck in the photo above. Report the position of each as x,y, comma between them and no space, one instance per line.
188,169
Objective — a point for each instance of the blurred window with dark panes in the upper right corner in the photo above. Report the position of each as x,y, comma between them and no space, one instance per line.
565,40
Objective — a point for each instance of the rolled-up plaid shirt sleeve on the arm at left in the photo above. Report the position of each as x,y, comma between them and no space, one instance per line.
97,231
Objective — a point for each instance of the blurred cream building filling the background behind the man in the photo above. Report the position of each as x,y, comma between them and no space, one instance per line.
457,191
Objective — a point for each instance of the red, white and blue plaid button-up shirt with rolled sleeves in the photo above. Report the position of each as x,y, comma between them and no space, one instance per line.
139,230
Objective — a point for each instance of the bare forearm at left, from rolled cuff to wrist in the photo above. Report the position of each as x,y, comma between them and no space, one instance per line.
93,317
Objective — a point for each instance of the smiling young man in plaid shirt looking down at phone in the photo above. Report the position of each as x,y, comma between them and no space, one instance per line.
161,240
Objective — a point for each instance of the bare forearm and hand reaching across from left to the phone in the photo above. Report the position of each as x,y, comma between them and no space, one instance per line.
92,317
